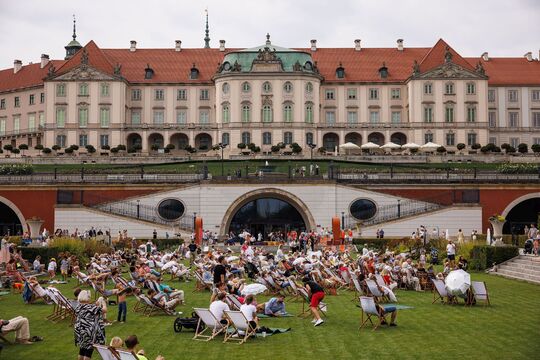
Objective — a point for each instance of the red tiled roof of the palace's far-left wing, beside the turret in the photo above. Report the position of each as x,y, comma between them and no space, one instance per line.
29,76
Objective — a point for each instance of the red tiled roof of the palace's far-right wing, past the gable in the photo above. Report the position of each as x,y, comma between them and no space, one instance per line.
510,71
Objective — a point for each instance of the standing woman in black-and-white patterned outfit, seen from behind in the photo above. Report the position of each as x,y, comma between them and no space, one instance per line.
89,327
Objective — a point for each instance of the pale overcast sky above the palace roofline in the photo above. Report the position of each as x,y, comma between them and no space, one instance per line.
501,27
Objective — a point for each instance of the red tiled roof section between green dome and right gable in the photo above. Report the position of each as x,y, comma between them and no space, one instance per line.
364,65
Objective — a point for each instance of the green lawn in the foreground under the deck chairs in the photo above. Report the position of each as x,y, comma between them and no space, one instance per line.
506,330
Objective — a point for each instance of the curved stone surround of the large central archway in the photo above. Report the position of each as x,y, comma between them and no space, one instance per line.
268,192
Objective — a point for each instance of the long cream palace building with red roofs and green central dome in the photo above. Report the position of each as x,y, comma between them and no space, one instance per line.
149,98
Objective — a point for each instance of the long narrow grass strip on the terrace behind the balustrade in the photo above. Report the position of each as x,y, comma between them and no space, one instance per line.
214,167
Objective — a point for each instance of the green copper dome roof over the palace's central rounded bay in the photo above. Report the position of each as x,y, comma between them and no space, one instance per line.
267,58
